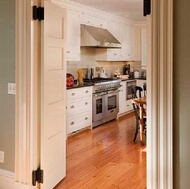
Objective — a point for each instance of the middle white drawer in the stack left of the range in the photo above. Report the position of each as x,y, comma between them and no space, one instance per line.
81,105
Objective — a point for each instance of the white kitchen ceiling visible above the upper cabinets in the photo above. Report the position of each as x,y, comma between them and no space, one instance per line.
132,9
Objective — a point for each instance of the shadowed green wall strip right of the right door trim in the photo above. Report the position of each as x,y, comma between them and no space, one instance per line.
181,94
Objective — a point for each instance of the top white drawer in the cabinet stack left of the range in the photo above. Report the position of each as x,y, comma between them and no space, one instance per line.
78,93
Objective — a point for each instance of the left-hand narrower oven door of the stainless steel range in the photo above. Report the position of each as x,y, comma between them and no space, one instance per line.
98,106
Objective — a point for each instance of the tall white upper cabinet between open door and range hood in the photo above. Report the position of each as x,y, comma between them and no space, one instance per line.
73,36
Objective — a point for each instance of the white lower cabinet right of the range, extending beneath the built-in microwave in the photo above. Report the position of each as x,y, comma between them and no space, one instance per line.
124,104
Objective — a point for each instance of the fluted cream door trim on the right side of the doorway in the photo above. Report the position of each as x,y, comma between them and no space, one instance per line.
160,96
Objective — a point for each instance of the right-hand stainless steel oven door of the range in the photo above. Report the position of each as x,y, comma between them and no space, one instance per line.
112,104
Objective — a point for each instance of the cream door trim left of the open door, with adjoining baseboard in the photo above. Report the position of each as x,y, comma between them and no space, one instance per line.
25,148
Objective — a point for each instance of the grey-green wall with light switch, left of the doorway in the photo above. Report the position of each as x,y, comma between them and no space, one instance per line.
7,74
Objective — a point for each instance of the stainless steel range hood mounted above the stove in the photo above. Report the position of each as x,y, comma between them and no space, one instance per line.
97,37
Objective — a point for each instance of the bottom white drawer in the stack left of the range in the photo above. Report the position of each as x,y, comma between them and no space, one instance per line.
79,122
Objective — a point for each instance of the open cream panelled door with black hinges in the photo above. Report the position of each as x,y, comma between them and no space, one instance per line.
53,94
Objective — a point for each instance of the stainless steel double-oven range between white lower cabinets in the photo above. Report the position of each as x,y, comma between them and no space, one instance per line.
105,100
